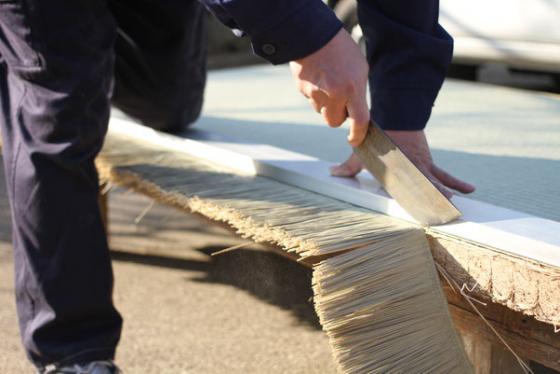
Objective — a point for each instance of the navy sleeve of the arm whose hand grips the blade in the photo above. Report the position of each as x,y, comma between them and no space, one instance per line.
280,30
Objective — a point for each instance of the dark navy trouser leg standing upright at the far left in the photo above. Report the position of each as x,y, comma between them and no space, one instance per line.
54,91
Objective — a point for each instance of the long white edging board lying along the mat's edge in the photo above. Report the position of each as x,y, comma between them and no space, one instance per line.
509,231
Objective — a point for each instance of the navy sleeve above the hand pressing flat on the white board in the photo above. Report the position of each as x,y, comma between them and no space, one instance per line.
409,54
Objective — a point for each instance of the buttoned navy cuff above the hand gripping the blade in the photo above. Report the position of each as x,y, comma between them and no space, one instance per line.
301,34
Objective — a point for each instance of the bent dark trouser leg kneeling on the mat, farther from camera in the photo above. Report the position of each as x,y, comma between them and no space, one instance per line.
160,69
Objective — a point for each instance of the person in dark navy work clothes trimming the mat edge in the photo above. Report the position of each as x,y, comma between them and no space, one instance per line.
63,63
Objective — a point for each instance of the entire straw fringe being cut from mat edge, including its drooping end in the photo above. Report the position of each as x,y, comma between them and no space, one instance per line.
377,293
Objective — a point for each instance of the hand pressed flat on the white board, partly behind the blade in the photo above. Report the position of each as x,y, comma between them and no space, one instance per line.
415,147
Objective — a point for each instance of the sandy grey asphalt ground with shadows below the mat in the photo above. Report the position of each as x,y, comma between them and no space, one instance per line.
246,311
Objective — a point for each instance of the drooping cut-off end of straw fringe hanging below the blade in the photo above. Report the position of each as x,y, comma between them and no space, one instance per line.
384,311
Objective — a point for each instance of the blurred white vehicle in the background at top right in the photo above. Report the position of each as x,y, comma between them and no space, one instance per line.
522,34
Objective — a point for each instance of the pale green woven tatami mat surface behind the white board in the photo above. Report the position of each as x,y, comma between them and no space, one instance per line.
506,141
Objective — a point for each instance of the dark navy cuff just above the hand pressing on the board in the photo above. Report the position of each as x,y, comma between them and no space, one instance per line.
403,110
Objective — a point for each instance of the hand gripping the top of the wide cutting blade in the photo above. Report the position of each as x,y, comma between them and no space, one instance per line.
334,79
